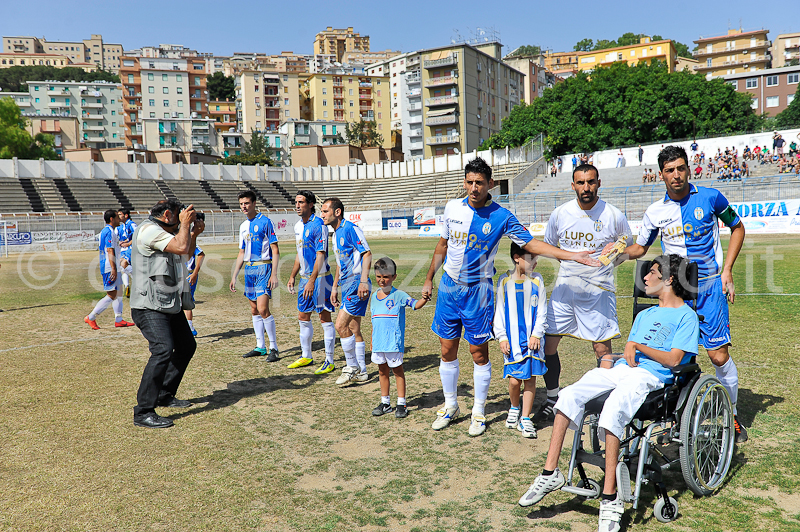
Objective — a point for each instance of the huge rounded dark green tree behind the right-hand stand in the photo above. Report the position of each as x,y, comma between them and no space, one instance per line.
624,105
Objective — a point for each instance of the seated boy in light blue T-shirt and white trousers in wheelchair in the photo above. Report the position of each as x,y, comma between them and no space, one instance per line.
661,337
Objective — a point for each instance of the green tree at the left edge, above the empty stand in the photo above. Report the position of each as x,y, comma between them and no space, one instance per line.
15,141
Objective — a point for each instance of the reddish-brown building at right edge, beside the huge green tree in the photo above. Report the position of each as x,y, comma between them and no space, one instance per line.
772,90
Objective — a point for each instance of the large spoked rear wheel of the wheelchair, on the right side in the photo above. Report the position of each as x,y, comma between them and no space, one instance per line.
706,435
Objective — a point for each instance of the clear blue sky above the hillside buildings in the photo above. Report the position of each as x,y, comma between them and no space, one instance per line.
223,28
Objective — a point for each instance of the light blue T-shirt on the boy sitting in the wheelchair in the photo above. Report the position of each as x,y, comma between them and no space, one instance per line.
664,329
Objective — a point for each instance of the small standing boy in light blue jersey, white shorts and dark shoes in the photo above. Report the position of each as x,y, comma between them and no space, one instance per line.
388,310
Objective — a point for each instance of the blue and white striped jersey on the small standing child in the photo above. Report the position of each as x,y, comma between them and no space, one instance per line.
520,312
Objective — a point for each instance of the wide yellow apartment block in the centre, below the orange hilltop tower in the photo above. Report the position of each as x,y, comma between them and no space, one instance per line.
346,96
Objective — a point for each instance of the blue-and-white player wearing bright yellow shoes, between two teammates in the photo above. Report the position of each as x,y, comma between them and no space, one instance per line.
316,281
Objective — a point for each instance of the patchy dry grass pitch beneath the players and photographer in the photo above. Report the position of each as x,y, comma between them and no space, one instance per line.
267,448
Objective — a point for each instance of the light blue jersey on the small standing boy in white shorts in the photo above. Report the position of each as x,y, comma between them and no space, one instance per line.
389,320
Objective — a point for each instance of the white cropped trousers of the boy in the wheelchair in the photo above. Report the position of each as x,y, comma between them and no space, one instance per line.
630,388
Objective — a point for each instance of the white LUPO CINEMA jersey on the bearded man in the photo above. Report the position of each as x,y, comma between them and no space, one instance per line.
574,229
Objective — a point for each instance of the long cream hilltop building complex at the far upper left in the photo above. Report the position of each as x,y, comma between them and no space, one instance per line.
94,51
